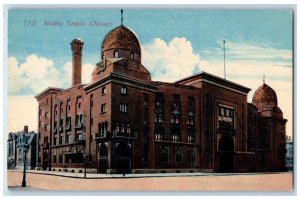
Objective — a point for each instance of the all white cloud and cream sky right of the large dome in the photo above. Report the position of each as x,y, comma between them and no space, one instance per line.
245,64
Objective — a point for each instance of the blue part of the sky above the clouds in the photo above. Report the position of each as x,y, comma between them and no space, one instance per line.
205,29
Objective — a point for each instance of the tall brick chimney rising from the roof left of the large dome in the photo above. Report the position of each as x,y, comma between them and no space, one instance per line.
76,46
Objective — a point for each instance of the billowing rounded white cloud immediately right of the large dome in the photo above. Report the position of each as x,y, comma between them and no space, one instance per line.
170,61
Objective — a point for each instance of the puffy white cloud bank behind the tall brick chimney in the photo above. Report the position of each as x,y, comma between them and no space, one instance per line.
38,73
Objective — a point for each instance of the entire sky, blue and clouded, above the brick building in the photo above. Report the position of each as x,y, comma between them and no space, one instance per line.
175,44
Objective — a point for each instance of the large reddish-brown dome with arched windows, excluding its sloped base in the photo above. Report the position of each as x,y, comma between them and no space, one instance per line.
121,42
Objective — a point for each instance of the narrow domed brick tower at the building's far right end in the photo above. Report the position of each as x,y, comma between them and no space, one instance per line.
271,132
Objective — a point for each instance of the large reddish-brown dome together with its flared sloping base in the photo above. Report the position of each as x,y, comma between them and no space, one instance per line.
121,54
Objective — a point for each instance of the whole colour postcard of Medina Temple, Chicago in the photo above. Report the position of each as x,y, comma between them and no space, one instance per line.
150,99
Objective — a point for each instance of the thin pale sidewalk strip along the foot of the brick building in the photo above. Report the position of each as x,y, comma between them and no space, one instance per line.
110,176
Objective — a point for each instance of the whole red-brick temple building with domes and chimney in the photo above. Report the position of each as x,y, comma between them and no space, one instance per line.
123,122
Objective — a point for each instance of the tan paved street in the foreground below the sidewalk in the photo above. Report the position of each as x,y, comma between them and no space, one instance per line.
139,182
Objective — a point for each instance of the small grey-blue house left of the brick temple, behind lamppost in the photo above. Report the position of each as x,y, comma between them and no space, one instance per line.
15,150
